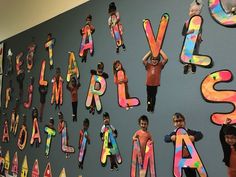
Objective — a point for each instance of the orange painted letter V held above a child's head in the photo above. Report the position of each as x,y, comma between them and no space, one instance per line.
155,44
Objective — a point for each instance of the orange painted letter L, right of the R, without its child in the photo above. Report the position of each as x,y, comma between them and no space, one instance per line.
123,101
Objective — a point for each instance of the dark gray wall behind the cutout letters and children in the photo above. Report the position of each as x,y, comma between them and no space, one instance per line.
178,92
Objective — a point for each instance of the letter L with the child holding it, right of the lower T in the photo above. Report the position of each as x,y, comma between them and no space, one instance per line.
62,128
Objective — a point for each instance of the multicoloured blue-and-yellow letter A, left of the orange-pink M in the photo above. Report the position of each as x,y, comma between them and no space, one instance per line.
106,150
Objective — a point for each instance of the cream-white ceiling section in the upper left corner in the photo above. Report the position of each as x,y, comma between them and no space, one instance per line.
19,15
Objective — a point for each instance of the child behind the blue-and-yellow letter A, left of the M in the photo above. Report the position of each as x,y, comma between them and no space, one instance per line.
106,124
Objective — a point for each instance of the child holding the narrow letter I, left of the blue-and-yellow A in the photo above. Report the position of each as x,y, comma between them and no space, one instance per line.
83,133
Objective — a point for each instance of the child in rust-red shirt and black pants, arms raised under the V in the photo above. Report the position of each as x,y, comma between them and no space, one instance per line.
153,68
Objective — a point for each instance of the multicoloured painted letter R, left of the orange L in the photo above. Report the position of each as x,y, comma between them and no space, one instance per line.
93,93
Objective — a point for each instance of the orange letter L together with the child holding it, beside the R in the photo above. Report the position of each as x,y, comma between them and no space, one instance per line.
121,80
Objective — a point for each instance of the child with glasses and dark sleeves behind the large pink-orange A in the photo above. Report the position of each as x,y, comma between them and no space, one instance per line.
179,122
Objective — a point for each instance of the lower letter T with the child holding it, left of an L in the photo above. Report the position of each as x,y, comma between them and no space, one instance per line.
50,130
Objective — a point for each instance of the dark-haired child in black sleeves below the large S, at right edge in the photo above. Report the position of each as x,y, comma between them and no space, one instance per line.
228,143
